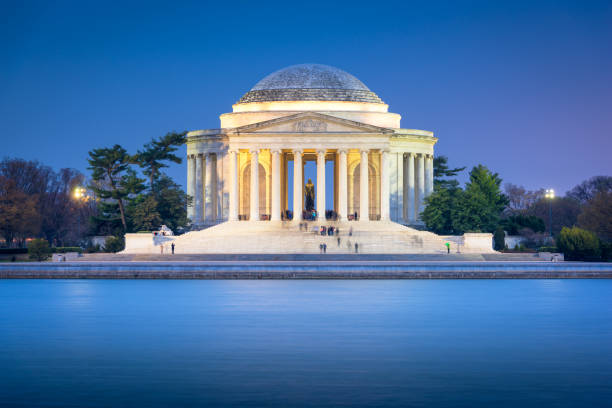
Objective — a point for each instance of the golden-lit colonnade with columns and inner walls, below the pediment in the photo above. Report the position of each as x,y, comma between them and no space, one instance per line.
270,183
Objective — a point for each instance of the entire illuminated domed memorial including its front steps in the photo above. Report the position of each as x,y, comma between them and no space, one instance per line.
247,177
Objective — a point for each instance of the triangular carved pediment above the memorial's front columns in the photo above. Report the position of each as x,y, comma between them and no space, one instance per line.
310,122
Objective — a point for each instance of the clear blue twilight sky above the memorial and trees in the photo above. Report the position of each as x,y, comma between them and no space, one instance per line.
522,87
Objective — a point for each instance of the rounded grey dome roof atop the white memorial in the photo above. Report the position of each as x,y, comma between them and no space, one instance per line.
310,82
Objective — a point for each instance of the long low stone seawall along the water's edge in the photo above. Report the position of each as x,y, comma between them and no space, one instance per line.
306,270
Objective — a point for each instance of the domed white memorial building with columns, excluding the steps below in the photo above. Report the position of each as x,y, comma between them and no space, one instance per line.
241,171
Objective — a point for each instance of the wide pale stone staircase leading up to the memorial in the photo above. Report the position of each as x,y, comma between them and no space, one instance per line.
269,237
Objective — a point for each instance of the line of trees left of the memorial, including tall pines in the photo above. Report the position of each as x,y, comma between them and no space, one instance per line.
124,193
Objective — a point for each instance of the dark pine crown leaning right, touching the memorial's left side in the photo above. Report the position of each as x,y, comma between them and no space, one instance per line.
151,159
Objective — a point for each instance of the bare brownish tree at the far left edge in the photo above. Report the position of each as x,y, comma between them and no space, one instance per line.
19,217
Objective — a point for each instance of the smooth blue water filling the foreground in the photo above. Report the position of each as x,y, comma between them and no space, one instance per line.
460,343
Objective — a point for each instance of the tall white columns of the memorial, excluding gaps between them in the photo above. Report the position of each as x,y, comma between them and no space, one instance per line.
414,182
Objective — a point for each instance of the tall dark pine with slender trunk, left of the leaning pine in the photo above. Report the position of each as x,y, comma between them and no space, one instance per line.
109,167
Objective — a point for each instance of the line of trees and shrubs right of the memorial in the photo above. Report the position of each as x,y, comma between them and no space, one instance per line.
583,214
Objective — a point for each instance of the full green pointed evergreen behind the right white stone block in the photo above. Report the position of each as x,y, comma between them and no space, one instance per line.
480,206
